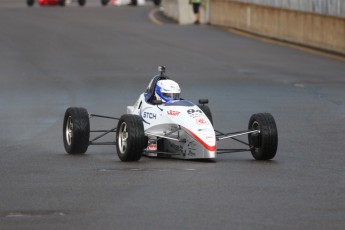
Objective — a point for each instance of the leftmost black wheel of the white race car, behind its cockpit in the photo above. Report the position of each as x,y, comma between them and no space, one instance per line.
76,130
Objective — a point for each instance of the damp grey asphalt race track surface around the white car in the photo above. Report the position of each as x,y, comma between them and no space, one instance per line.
102,59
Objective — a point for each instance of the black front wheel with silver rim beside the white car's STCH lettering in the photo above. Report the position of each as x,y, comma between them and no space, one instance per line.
130,138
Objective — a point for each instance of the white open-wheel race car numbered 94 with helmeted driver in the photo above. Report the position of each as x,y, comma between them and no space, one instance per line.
161,124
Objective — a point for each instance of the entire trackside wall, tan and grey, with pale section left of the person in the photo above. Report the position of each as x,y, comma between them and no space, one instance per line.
315,23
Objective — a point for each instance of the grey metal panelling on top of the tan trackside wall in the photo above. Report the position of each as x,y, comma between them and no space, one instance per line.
328,7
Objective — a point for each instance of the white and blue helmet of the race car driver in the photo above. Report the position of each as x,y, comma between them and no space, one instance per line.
167,90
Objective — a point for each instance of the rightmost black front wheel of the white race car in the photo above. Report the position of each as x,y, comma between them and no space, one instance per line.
264,144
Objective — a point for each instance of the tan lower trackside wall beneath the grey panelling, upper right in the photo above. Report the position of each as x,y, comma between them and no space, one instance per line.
305,28
